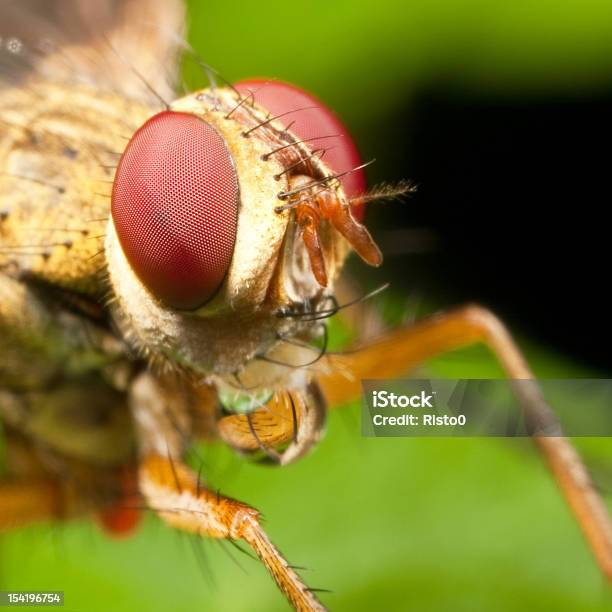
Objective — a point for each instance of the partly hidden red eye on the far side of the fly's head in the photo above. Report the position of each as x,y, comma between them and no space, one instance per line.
341,155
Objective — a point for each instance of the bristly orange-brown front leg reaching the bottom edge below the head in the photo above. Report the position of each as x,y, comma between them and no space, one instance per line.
174,492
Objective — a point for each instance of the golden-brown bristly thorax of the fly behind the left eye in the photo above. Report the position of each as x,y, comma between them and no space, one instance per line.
59,146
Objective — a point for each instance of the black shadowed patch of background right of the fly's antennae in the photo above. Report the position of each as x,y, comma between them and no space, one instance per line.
513,198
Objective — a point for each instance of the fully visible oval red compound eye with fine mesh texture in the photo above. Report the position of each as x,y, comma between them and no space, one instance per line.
175,208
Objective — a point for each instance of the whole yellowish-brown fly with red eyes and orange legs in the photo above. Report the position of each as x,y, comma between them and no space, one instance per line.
165,266
